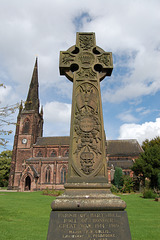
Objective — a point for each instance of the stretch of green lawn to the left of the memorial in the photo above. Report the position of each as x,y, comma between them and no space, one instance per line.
24,215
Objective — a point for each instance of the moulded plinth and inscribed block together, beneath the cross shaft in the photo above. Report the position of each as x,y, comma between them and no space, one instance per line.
88,212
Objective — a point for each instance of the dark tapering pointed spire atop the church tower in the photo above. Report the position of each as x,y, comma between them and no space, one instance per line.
32,102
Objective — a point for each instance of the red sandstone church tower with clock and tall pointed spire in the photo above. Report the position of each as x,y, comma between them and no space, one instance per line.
29,127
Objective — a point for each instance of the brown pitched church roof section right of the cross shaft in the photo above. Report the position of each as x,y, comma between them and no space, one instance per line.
123,147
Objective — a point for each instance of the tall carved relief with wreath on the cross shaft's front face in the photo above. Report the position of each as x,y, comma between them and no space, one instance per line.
87,127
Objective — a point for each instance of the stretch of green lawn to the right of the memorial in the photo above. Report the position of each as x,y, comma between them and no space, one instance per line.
144,217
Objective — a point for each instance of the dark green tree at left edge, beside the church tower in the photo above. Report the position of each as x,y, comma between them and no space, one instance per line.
5,163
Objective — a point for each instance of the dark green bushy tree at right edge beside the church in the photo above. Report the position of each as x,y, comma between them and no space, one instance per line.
148,164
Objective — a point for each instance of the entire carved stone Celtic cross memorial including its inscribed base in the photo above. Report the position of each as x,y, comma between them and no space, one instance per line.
87,210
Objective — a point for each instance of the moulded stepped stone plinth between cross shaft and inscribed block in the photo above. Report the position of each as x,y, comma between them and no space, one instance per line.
88,196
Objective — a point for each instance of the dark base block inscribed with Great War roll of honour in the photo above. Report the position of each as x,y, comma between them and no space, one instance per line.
89,225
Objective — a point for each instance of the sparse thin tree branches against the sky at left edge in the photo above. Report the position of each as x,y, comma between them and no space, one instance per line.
5,120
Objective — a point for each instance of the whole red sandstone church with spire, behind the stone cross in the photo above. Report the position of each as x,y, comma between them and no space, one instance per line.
39,162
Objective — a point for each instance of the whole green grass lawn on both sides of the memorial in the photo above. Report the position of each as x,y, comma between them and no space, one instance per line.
26,216
